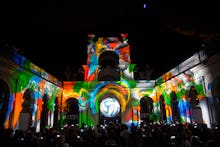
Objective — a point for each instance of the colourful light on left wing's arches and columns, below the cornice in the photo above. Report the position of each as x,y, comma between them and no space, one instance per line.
39,88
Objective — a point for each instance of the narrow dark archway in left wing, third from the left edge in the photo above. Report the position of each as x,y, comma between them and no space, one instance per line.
44,113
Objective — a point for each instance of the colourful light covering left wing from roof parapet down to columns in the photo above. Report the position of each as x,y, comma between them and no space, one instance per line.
29,84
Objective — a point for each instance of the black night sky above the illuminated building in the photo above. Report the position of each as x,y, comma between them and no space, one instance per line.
53,33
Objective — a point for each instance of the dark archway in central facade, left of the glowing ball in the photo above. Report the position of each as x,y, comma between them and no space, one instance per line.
72,111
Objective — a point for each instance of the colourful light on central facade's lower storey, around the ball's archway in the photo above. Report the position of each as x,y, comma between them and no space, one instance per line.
90,94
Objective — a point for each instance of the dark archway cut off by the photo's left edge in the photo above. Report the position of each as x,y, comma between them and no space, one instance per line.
4,99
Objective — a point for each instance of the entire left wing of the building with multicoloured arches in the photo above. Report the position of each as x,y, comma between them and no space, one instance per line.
29,95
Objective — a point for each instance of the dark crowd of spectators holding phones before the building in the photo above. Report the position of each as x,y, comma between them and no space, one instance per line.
114,135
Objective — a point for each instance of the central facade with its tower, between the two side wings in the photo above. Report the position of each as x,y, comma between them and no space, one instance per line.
109,91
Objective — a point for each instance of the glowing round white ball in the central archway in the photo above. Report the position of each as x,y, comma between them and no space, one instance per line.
109,107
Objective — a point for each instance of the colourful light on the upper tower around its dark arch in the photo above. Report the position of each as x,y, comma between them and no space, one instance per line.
95,49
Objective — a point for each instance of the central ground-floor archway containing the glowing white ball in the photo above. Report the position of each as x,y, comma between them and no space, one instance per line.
109,109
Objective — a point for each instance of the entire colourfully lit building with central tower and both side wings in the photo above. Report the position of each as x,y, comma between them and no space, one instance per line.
30,96
